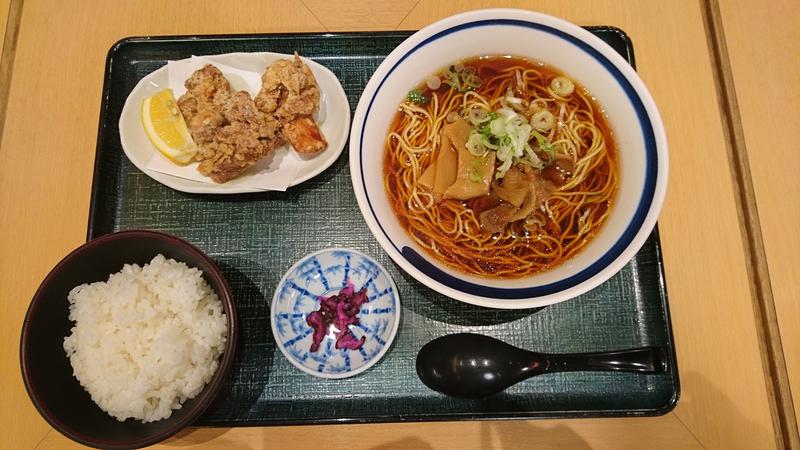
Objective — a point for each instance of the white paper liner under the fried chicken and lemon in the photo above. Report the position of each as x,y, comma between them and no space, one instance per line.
275,172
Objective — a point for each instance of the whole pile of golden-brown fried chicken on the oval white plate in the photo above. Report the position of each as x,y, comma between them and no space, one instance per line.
233,131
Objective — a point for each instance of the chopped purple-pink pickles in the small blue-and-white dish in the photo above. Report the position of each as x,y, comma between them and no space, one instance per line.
340,310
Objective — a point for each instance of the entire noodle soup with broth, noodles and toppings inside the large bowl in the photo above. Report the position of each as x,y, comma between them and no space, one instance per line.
500,167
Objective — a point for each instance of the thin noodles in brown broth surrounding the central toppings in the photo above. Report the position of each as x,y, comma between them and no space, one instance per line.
451,229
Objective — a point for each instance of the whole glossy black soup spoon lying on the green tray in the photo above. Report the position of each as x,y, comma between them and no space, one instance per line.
473,365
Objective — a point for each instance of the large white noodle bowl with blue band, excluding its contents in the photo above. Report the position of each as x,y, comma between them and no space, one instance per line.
629,110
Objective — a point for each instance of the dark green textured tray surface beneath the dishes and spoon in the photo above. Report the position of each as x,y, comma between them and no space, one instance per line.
255,238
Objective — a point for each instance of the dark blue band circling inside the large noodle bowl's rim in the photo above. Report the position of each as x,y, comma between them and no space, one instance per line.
638,219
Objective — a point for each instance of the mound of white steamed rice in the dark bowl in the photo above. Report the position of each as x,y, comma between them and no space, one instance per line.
147,340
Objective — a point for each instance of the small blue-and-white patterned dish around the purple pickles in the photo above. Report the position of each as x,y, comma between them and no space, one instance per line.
325,273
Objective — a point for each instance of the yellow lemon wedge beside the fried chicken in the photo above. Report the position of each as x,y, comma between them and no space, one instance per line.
166,128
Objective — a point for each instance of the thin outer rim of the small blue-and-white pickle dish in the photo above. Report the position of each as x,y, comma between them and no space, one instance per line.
353,372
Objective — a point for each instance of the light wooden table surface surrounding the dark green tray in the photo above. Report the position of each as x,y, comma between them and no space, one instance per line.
725,77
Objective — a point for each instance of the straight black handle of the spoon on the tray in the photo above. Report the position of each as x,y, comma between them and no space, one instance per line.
645,359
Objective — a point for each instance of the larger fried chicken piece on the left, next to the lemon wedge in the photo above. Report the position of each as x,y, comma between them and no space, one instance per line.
231,133
